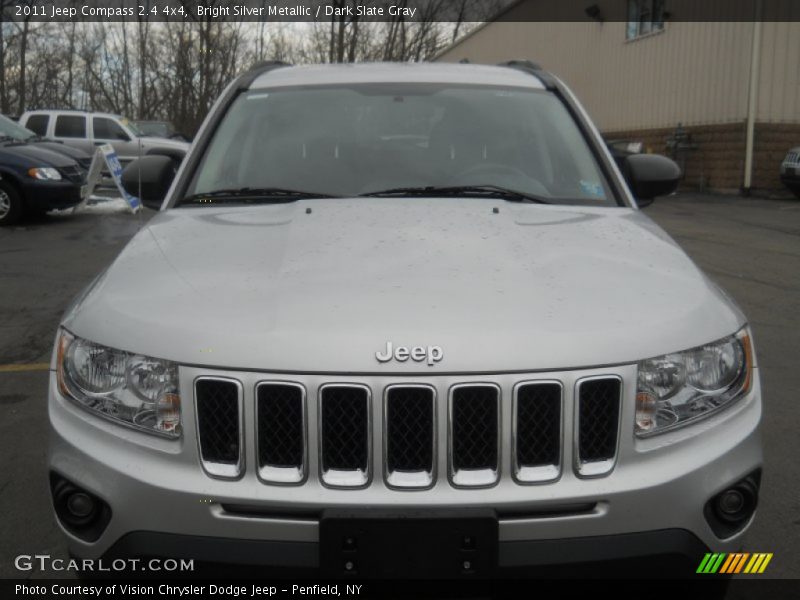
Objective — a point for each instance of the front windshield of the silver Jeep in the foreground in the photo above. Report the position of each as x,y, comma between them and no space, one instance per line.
350,140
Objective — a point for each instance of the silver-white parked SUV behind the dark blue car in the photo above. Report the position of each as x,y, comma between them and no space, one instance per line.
85,130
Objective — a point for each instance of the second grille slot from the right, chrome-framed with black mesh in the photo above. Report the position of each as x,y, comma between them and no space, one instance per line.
537,431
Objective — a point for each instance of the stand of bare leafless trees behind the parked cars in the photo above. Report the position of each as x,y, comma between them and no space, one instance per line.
174,71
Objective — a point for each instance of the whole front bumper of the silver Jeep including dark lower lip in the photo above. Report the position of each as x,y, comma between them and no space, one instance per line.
650,504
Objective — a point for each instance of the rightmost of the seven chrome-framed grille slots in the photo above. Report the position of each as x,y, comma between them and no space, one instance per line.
597,424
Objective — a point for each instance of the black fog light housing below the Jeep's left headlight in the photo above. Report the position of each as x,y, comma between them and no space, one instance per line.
80,512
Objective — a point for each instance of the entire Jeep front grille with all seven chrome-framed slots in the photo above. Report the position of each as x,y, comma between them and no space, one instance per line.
325,430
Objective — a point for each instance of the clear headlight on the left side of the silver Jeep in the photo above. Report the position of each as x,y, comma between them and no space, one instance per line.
138,391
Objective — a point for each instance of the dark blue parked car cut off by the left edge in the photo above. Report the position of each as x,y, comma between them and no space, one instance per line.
34,179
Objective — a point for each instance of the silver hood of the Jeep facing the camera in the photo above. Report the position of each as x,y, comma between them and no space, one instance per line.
532,287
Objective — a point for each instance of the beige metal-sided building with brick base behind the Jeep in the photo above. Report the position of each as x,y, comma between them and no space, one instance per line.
733,86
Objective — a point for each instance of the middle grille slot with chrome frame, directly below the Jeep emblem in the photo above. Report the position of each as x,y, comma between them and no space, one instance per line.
409,435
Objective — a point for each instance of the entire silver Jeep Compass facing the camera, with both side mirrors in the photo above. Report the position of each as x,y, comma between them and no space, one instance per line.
403,319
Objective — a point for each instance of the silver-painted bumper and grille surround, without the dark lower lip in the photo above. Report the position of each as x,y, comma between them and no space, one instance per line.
158,485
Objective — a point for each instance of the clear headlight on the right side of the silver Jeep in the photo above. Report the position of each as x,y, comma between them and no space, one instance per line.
676,389
